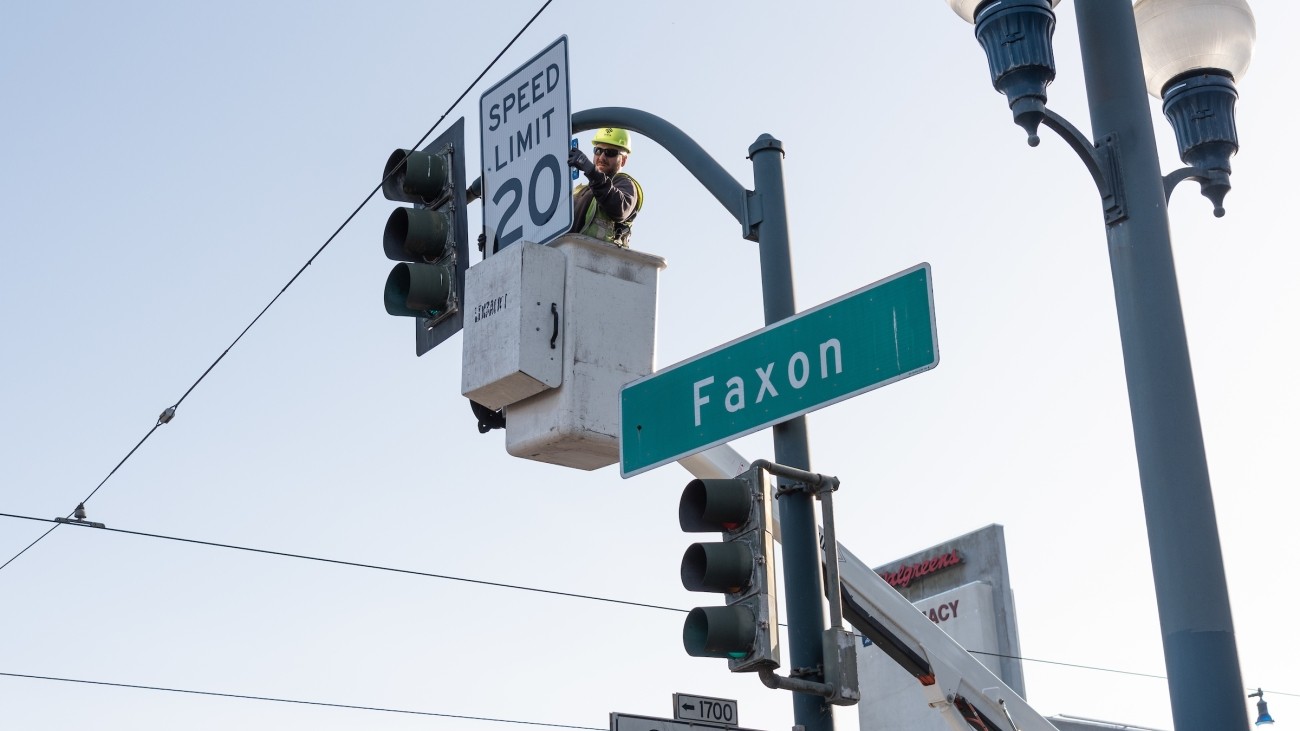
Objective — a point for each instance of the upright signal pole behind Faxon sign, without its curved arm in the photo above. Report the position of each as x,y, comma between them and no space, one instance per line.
801,565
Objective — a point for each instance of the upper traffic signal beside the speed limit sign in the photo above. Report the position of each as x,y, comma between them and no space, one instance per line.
431,239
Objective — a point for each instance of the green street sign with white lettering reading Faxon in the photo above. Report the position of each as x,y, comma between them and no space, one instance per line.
876,336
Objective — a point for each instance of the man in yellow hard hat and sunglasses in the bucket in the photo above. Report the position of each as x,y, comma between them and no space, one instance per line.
606,205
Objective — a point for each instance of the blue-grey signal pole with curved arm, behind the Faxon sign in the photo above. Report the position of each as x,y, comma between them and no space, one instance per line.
762,217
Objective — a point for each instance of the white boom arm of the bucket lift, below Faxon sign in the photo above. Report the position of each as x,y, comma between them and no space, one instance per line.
959,677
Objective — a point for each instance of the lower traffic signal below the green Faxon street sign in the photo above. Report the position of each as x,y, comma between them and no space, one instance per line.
743,568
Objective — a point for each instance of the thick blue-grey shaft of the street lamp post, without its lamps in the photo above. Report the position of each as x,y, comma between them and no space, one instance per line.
1191,591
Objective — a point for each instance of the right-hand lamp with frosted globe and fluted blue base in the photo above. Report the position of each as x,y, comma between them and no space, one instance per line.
1193,53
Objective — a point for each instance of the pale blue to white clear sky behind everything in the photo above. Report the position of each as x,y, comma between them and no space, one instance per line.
170,166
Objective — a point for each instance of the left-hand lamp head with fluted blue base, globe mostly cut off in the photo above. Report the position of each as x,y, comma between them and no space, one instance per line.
1017,38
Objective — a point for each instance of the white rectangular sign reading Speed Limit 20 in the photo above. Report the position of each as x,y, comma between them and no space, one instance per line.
525,126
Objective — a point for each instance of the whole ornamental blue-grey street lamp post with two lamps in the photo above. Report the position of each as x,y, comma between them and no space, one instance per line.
1194,53
